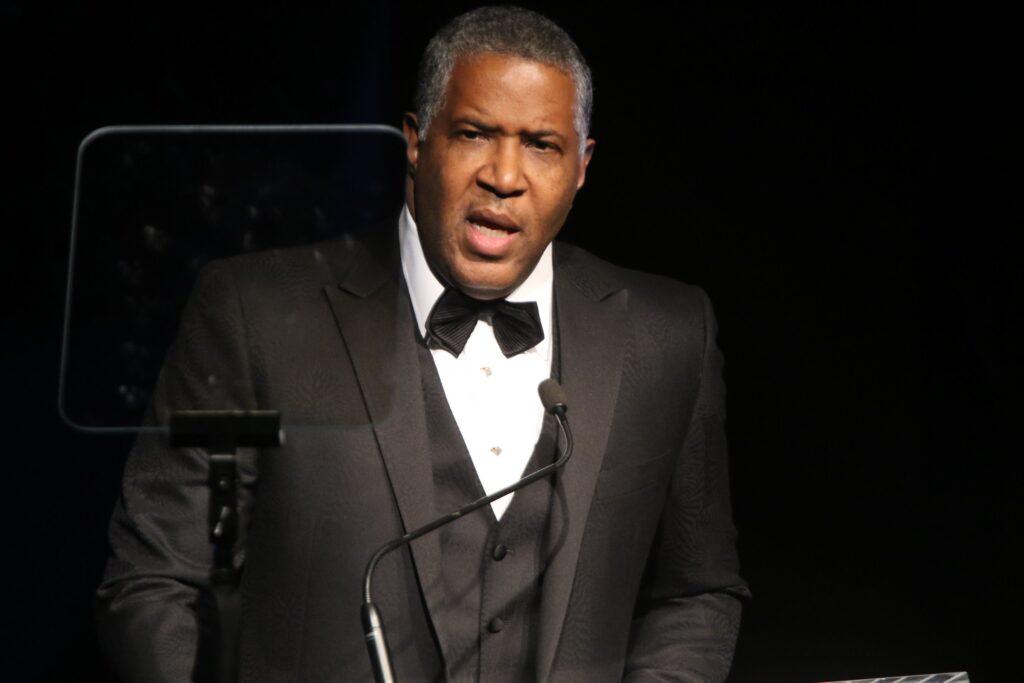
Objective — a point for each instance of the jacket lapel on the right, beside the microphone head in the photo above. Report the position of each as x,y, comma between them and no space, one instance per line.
592,331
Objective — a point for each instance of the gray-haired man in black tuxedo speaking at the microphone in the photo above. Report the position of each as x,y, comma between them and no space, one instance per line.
623,567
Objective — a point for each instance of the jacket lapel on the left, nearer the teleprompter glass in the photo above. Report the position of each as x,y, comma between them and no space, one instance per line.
372,311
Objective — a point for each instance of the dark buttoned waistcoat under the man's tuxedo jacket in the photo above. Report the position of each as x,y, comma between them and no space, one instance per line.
492,571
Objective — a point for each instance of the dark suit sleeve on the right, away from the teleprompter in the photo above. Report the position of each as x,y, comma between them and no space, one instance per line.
688,614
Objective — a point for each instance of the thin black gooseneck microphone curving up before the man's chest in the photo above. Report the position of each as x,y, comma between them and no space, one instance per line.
553,399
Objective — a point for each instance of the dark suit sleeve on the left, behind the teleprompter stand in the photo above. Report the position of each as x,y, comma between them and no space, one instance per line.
148,606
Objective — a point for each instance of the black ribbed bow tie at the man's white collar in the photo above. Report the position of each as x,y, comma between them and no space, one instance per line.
518,326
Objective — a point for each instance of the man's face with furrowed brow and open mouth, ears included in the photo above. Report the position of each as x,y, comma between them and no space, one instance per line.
495,180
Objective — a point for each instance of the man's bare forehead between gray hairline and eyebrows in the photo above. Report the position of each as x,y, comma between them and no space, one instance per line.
493,86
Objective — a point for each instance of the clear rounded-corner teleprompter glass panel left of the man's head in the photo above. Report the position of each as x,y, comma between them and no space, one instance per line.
235,242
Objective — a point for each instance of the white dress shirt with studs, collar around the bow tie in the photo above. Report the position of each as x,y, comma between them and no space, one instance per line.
494,399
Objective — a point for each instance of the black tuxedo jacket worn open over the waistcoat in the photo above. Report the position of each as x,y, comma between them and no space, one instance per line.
643,580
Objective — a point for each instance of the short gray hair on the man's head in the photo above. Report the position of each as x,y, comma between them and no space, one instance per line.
511,31
